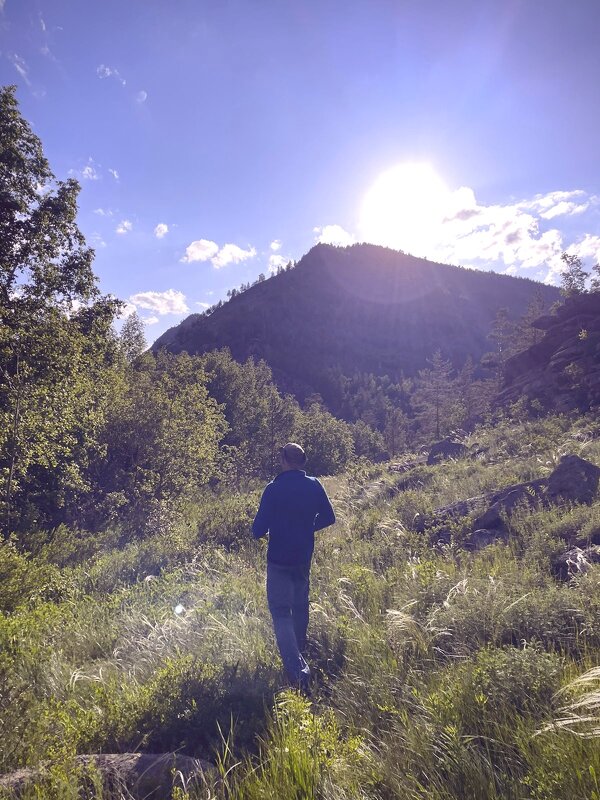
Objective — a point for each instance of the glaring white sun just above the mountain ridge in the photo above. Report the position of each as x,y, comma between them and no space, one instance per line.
405,208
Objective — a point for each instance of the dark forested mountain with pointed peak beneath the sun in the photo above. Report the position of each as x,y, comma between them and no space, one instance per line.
358,309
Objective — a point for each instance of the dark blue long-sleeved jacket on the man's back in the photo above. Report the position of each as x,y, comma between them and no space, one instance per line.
292,508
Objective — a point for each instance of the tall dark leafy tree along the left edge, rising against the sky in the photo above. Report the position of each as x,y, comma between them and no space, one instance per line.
55,326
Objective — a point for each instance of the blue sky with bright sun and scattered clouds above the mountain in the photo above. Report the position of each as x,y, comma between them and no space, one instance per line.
215,139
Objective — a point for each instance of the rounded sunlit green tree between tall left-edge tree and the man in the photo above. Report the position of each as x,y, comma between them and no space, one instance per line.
162,437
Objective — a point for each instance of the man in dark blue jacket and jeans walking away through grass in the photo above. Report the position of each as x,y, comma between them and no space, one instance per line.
292,508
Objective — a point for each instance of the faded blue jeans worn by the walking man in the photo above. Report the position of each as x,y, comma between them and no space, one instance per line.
287,595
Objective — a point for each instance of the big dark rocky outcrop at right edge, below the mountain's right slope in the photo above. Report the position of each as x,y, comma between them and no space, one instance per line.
562,371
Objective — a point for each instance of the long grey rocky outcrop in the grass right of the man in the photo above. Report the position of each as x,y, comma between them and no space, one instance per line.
574,480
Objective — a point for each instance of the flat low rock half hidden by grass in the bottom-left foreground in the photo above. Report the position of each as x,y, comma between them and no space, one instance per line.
135,775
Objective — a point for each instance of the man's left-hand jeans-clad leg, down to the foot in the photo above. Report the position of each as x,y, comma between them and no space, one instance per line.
280,596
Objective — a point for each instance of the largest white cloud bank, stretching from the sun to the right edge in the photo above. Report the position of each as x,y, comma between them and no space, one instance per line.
453,227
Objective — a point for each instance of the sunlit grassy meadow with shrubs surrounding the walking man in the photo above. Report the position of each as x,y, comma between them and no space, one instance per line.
439,673
